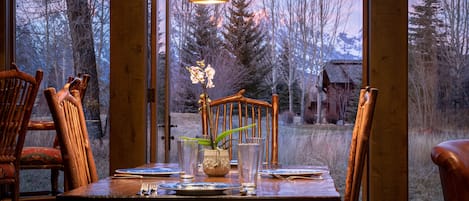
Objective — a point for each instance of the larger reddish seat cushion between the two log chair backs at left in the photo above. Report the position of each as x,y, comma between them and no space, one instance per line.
40,156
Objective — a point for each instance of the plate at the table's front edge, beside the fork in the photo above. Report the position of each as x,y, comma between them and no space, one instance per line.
197,188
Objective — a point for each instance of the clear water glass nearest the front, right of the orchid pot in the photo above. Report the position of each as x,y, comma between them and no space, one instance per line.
248,160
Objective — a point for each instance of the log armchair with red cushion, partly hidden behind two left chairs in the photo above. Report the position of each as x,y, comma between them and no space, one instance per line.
50,157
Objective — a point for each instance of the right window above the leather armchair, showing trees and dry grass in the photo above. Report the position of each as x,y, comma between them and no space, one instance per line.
438,85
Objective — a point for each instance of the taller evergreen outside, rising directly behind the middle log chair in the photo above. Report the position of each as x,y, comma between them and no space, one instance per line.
244,39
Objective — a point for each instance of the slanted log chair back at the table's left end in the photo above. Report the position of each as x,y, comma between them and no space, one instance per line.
69,121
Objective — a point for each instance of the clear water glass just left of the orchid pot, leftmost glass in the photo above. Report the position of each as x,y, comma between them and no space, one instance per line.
187,157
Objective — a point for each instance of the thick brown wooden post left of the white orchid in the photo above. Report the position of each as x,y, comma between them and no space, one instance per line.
128,84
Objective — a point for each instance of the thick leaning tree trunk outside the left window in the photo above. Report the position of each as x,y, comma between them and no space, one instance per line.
84,60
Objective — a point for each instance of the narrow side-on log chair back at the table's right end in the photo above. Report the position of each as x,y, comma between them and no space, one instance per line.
359,145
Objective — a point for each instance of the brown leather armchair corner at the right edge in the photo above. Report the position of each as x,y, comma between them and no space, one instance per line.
452,158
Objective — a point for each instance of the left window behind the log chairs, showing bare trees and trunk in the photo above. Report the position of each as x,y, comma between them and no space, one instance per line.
44,41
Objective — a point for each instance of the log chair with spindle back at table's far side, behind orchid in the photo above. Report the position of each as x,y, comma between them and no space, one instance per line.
226,112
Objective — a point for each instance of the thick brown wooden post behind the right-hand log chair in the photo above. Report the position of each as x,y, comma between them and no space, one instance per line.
388,72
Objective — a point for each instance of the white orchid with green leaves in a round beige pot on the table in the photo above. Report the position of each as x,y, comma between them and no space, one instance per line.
216,160
